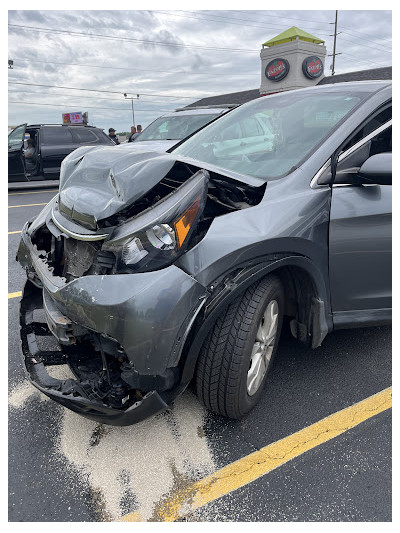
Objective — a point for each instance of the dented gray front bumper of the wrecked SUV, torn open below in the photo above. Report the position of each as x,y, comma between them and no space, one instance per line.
148,315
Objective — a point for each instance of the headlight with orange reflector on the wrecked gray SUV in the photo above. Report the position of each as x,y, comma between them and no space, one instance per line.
157,236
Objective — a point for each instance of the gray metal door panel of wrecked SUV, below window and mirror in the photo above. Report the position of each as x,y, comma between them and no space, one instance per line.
360,246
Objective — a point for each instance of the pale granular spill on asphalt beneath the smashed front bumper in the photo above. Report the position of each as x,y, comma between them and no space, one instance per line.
132,468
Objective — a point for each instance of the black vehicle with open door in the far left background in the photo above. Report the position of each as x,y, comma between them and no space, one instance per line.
52,142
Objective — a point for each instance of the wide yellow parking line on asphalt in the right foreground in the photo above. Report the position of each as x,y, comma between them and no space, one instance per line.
257,464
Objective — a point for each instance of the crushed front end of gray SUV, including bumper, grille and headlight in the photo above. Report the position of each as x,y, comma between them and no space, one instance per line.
108,291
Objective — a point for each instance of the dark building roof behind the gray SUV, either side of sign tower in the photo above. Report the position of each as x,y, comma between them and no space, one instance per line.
384,73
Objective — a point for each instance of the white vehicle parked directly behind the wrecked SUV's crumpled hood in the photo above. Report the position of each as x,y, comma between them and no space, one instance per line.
168,130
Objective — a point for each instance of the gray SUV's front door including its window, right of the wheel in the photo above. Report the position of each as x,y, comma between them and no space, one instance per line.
360,232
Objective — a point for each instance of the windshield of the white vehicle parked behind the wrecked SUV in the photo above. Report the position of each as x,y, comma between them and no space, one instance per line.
174,128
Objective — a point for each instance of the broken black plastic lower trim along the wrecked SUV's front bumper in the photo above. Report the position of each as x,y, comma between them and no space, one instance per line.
66,392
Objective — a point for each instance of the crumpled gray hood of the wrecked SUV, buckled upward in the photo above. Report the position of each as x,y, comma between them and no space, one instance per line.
97,182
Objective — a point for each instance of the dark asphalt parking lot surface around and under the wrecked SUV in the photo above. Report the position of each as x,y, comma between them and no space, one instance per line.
63,467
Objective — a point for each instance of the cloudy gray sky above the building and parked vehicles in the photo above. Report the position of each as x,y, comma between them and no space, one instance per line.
87,60
